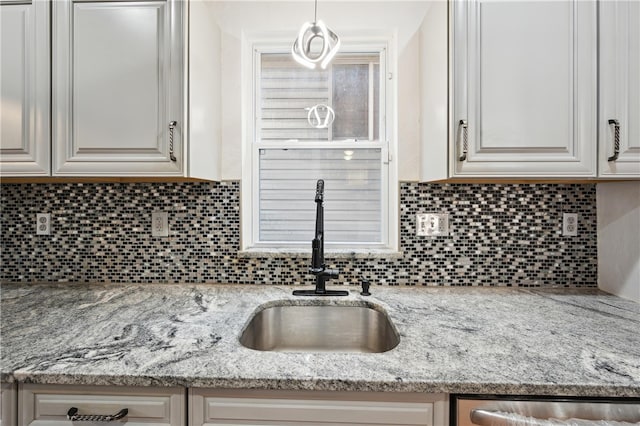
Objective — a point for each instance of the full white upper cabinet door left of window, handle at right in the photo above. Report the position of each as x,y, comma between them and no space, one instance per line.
117,79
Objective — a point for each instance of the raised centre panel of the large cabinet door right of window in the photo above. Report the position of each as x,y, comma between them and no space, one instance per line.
513,114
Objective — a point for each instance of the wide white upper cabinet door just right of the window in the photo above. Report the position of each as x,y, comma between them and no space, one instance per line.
524,88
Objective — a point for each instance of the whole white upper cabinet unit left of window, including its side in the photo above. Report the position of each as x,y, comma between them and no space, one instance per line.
118,82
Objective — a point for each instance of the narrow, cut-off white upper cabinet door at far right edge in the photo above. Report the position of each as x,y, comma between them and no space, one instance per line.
619,89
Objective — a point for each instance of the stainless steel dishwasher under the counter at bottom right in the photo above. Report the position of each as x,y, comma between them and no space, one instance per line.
495,410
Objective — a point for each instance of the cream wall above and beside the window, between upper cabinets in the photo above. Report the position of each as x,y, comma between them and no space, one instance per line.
238,19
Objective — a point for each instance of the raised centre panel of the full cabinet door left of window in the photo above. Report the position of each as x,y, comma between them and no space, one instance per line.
108,67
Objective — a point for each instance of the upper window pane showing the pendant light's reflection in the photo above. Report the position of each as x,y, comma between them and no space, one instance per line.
288,91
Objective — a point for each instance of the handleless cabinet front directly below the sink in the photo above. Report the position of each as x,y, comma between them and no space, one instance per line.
284,408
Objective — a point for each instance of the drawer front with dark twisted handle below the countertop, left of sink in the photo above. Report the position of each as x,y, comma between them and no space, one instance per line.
45,405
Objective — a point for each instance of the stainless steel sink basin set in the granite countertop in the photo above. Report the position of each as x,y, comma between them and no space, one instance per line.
325,328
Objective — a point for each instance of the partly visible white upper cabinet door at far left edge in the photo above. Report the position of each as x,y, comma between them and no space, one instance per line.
24,89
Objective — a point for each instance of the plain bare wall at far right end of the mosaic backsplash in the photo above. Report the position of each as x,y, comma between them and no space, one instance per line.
618,206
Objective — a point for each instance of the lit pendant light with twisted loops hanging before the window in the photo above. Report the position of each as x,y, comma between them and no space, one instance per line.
309,32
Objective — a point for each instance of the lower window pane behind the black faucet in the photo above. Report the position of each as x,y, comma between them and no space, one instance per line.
352,202
